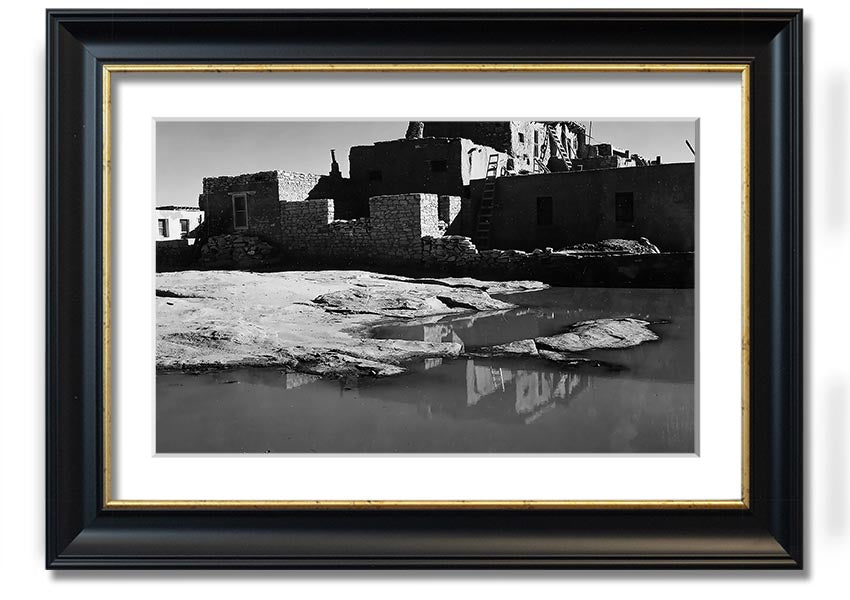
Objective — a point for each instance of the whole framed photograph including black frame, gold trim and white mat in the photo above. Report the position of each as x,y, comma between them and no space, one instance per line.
424,289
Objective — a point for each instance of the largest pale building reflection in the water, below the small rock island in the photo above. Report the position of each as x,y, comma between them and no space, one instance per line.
531,391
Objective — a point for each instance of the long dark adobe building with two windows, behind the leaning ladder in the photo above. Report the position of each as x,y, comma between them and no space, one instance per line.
564,209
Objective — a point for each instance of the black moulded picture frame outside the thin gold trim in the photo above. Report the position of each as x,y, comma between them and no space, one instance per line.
81,534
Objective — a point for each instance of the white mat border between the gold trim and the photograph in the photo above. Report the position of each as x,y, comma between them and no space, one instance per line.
713,474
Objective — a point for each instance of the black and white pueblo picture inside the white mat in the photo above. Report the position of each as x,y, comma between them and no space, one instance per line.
422,286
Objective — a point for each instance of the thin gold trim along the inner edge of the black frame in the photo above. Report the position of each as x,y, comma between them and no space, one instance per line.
735,504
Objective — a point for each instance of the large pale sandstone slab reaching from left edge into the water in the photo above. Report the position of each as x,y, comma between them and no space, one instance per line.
222,319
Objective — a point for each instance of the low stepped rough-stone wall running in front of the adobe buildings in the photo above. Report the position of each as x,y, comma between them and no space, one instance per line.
404,232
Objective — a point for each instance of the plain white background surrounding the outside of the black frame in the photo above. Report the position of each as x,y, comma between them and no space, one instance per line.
827,77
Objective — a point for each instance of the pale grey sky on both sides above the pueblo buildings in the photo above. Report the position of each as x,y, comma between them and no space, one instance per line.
188,151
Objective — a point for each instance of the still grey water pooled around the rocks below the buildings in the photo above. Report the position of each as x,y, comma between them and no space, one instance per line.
464,405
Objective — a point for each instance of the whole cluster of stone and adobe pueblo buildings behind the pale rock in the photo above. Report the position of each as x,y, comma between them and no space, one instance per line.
509,199
